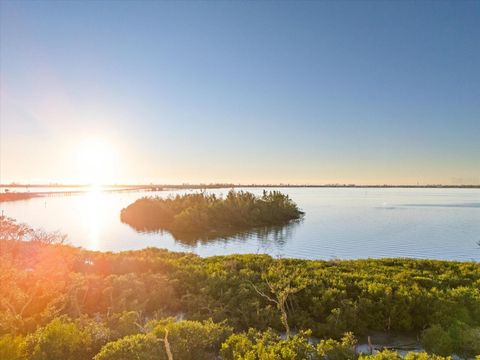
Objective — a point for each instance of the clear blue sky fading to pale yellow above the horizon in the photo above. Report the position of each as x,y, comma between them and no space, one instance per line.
240,92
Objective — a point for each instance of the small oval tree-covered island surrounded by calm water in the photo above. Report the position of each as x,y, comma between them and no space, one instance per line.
201,215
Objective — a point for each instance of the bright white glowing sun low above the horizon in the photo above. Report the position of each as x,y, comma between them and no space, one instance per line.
96,161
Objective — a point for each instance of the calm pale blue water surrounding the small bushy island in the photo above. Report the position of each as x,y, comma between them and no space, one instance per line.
339,223
